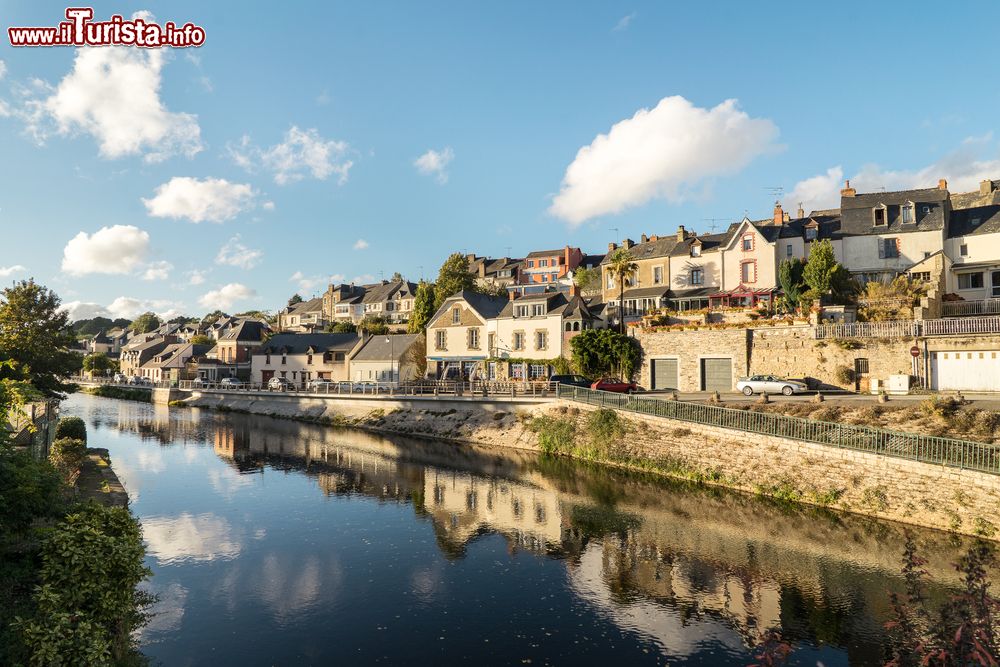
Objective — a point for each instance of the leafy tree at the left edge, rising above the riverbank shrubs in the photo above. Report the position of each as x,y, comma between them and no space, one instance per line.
35,338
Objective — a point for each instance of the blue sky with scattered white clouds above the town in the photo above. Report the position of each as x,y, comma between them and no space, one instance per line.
293,136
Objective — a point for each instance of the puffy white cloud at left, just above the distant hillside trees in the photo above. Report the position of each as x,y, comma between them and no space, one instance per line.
117,249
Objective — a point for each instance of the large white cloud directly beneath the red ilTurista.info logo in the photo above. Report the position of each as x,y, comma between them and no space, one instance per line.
113,94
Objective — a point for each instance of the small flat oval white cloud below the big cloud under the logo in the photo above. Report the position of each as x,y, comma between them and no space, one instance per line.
212,199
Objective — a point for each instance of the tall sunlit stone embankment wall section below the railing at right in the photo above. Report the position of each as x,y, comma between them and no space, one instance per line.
923,494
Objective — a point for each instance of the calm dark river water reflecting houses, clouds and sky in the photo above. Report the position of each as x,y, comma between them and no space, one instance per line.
273,542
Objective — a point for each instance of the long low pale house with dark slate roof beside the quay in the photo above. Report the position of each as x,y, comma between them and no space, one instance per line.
300,358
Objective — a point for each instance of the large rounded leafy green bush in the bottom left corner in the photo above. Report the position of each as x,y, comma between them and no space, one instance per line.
87,605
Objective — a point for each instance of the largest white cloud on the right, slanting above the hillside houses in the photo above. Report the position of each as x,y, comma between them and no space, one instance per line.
660,153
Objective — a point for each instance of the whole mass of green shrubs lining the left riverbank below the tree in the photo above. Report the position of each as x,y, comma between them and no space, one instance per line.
69,571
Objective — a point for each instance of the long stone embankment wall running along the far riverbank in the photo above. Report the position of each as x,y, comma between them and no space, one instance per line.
922,494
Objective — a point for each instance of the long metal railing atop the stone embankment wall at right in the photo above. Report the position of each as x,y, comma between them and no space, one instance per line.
951,452
